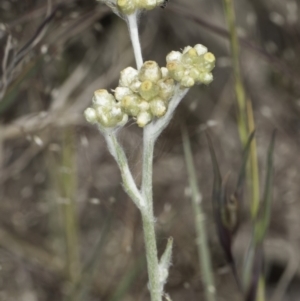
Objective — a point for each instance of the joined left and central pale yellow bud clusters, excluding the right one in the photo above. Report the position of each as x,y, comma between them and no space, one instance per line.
142,94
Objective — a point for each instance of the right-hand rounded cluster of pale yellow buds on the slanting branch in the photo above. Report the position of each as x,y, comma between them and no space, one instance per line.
192,66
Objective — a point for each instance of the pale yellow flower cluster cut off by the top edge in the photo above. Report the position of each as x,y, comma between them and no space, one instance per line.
130,6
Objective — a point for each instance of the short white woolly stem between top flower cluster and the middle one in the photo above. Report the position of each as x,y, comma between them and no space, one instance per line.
135,40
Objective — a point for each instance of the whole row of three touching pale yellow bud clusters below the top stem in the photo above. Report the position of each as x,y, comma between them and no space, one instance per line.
145,94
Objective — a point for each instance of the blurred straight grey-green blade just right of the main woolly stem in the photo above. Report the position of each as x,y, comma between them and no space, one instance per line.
202,241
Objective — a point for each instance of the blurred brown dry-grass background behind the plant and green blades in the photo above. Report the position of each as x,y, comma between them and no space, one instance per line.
67,229
